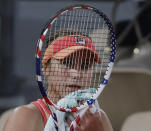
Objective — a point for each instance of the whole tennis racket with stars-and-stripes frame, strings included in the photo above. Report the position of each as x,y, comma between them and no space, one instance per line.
75,55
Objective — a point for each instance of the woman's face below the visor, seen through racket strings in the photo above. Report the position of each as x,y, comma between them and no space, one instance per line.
68,75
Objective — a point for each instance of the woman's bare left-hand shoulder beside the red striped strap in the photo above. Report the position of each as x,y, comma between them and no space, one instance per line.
25,117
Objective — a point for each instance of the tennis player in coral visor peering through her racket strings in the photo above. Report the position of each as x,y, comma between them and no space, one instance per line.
65,70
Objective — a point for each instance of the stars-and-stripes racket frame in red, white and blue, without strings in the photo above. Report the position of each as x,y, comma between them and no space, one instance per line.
107,74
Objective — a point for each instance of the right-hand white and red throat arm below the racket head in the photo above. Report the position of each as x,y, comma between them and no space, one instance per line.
76,121
